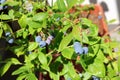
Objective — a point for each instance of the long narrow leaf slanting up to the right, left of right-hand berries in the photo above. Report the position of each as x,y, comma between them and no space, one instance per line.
65,41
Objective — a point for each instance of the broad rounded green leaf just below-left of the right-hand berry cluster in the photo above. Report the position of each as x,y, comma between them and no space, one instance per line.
68,52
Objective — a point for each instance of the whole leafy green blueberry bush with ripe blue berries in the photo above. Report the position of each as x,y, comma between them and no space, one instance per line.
53,41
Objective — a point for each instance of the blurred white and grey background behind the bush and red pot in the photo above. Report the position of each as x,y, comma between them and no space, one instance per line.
112,13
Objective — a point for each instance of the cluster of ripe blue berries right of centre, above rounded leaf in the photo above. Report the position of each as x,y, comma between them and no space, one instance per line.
79,49
